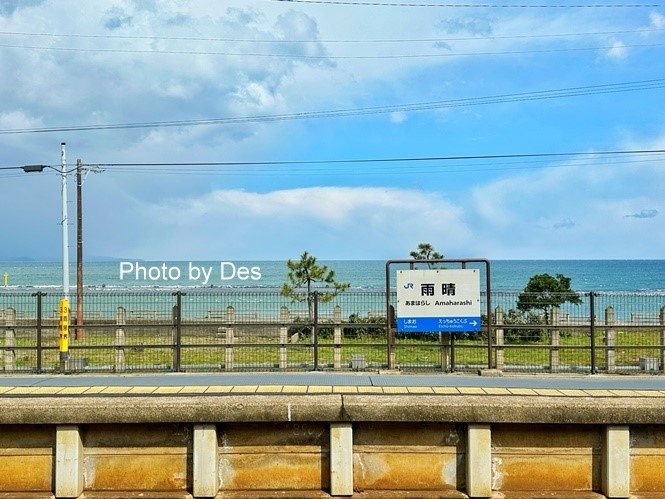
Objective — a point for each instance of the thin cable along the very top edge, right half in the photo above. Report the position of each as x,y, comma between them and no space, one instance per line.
555,5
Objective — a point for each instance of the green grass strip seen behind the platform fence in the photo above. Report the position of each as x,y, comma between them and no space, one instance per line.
258,346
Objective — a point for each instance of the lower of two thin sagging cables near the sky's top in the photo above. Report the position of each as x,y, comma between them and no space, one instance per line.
326,57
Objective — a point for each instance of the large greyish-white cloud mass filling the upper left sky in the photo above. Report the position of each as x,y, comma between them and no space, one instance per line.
69,87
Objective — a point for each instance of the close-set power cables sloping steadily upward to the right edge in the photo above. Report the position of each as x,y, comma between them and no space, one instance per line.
364,111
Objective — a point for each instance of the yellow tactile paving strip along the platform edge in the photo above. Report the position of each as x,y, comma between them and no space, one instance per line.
139,390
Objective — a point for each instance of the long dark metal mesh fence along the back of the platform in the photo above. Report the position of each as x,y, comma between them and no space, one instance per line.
261,330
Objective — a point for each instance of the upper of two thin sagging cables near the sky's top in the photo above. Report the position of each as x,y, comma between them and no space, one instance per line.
358,40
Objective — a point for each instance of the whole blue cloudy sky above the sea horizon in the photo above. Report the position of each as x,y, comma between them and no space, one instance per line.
299,87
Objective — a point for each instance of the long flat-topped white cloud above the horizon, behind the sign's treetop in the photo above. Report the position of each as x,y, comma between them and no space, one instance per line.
333,222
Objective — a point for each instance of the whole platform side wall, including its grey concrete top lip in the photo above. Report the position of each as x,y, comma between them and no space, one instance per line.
332,445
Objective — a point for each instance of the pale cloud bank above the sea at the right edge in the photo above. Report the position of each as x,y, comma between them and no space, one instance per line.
576,210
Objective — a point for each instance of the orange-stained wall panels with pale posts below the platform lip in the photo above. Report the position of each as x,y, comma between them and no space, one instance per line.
340,458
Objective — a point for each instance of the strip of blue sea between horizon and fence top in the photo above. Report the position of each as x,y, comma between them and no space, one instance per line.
505,275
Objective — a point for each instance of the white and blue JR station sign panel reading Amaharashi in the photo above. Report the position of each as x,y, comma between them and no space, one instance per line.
444,300
